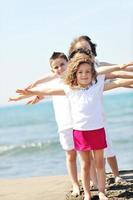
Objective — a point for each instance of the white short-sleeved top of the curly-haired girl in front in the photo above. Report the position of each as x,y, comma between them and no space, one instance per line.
87,105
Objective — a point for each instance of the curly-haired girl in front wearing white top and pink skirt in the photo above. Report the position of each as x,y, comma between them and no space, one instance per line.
85,96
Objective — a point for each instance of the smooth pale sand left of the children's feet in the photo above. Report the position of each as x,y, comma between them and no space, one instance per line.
35,188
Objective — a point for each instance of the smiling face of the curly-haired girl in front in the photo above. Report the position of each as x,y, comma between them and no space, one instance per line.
84,75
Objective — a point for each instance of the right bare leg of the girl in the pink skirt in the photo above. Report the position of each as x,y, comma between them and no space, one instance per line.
100,166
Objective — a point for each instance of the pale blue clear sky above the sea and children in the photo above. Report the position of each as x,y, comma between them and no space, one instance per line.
31,30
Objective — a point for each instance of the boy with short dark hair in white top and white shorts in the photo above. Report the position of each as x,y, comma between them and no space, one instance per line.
58,63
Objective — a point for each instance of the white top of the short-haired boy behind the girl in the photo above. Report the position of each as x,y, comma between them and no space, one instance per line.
61,108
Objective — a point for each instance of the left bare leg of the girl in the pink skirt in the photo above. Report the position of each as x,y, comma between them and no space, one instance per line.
85,173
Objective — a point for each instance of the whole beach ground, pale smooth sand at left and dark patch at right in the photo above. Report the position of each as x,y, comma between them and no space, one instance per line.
58,188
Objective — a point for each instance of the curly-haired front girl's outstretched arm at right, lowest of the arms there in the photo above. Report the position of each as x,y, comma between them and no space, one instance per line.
118,83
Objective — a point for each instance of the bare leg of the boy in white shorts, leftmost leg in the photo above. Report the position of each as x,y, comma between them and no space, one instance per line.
72,170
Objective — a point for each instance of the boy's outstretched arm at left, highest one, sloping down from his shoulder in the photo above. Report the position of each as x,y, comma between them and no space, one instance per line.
45,79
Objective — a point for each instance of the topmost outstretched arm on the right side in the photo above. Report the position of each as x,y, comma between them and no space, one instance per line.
107,69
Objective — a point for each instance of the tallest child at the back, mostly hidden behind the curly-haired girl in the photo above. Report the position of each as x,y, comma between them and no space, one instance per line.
85,42
